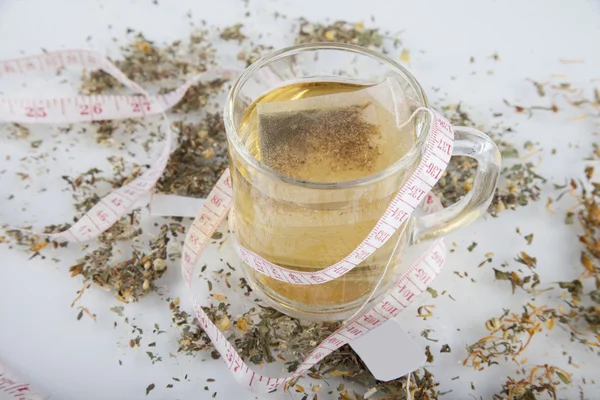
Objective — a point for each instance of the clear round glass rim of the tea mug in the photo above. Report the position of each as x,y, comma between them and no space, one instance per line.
240,148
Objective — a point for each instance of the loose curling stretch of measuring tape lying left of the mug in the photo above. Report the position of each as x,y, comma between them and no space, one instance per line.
95,108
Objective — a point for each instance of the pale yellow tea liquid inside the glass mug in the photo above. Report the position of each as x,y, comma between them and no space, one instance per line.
307,229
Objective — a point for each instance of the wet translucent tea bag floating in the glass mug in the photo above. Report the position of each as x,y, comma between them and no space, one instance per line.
335,137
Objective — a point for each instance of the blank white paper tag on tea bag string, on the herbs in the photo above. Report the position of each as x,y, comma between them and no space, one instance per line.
389,352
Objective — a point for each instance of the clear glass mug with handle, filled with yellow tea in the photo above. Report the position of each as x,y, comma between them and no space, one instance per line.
307,225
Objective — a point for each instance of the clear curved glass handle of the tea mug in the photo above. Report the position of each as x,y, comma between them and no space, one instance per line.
475,144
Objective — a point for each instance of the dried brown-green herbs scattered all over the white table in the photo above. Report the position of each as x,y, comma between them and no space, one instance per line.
263,335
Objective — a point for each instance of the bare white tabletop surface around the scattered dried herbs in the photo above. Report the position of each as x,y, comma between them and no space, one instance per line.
40,338
